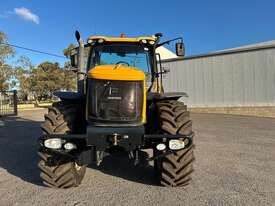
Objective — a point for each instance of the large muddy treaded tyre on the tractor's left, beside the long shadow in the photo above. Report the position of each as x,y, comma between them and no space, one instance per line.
56,170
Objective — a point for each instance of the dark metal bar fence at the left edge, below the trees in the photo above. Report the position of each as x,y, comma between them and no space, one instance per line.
8,103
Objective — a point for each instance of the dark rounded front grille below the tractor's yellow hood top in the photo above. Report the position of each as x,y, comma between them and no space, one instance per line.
115,101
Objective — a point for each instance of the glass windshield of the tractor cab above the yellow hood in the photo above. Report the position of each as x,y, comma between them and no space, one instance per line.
128,54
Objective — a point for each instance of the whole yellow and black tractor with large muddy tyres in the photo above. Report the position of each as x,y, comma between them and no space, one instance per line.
120,105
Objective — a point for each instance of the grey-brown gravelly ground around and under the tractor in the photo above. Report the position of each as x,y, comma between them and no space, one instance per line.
235,165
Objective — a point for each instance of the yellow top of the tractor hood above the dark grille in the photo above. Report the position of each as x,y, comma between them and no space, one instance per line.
116,72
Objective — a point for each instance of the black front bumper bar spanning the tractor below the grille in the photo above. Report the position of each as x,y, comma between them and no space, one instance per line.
104,137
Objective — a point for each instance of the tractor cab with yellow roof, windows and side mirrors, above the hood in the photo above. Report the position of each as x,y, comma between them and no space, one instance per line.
139,52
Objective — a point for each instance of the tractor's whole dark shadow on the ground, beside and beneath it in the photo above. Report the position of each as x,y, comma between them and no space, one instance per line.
18,154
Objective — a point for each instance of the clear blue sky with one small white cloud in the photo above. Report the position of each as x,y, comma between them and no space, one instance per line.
205,25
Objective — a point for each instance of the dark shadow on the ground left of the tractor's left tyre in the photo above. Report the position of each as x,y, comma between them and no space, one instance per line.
18,147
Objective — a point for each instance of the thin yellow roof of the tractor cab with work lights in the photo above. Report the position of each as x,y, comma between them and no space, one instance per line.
121,39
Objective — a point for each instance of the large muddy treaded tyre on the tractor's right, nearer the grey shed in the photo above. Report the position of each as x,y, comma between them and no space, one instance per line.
174,169
